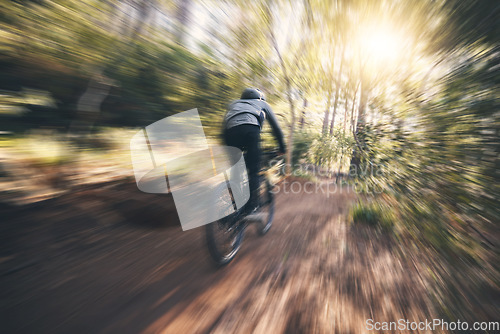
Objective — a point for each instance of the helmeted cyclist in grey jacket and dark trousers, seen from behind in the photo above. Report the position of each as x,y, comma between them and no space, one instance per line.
242,126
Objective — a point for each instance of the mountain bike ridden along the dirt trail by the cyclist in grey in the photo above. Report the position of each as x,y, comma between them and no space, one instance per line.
225,236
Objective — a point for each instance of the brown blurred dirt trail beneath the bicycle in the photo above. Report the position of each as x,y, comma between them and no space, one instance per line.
110,259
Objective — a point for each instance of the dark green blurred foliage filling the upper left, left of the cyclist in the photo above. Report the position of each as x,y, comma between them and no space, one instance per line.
61,49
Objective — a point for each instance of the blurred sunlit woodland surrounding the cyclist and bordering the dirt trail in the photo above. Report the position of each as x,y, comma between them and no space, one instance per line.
399,99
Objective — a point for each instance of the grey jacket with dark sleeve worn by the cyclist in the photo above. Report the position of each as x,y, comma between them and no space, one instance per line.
253,112
